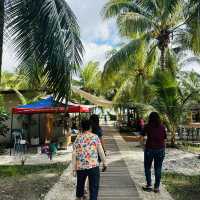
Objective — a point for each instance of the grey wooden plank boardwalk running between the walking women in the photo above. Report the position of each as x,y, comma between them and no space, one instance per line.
116,183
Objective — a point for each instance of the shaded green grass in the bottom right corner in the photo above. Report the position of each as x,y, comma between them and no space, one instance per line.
182,187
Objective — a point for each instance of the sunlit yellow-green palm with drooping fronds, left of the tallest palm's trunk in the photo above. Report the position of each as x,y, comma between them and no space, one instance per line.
130,68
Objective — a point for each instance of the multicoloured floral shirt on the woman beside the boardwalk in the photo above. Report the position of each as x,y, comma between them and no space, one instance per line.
86,149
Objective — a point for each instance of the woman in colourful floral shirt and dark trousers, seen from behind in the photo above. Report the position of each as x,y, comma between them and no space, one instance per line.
85,161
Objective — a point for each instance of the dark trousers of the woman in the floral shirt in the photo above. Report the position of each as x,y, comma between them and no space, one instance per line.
93,175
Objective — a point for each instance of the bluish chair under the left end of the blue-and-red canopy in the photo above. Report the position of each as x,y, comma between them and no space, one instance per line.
19,143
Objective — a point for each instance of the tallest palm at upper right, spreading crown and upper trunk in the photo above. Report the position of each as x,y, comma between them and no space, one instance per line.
158,22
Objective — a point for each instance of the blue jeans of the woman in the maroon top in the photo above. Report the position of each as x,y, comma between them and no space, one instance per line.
156,155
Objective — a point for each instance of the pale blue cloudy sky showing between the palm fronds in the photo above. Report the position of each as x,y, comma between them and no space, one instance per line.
98,36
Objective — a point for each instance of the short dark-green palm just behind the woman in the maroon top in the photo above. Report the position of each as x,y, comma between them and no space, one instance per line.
170,100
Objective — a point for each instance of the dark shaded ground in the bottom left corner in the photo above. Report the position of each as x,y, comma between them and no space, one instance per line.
28,187
